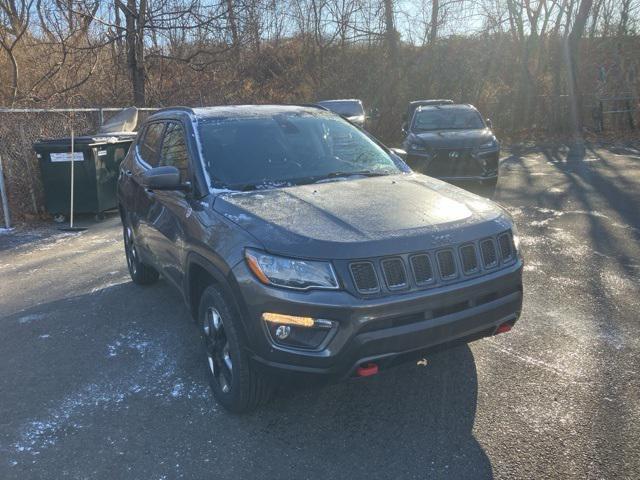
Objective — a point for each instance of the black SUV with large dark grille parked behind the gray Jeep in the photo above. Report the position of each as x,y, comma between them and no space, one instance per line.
452,142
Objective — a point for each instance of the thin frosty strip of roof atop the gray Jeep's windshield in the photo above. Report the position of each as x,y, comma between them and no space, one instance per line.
234,111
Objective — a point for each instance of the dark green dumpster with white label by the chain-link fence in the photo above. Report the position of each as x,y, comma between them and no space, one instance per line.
96,169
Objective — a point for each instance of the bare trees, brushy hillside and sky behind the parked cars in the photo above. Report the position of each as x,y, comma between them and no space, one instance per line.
524,63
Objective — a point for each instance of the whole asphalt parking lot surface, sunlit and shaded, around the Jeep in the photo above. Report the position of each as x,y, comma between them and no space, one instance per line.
100,378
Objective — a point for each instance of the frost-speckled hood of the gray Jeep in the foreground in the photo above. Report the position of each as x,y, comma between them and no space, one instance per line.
360,218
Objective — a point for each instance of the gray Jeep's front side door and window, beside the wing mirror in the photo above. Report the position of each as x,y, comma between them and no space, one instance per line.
170,211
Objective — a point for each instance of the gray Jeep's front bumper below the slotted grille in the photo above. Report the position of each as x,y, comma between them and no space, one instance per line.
383,329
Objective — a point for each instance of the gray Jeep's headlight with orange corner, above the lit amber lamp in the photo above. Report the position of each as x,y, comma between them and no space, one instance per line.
290,272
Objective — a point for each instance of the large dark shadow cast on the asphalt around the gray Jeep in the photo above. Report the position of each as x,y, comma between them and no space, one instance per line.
122,370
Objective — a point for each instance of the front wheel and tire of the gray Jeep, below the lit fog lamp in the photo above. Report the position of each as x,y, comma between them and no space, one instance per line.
235,384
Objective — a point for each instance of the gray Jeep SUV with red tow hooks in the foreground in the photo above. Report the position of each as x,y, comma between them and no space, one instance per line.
306,249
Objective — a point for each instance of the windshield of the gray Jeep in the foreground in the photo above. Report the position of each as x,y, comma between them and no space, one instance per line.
281,149
